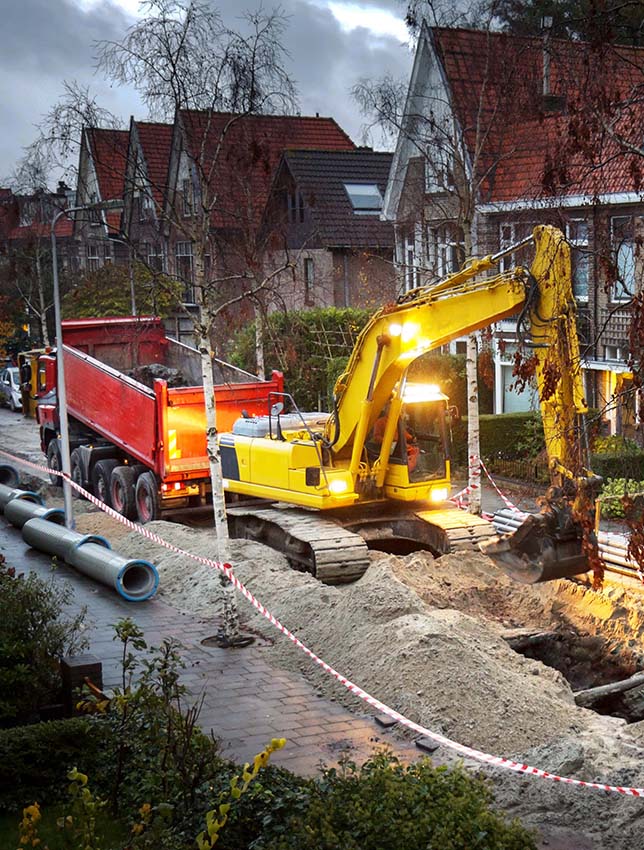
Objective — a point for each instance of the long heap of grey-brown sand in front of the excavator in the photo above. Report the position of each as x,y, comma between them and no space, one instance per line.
426,637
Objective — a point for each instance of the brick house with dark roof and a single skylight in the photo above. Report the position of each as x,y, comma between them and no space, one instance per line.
325,206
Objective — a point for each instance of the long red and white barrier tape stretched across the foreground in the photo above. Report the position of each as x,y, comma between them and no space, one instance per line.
468,752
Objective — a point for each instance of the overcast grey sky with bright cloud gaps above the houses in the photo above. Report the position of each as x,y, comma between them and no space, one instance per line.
333,43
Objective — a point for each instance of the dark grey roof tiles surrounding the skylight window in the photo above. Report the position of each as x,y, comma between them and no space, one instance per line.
320,176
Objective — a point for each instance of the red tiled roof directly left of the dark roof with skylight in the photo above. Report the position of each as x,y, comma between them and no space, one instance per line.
251,147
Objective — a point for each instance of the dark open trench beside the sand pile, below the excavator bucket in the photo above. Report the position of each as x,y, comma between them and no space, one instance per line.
597,669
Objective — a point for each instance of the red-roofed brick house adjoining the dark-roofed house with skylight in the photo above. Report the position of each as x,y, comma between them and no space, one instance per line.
235,157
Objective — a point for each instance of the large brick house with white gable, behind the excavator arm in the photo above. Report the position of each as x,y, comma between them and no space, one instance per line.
489,145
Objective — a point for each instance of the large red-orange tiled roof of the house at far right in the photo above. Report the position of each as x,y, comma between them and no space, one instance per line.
496,83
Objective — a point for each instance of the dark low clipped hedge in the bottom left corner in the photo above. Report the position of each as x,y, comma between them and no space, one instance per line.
34,760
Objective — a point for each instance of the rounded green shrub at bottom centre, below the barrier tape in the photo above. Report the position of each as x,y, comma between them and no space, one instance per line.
387,806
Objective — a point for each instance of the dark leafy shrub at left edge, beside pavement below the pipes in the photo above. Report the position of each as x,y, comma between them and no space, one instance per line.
33,639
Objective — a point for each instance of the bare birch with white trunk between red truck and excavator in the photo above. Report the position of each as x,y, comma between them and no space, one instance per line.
215,81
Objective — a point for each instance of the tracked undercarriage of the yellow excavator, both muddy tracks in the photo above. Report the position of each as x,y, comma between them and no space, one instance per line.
335,549
